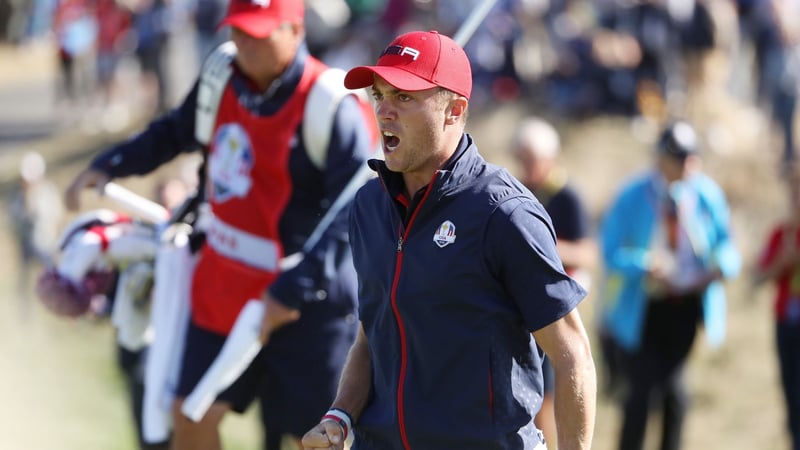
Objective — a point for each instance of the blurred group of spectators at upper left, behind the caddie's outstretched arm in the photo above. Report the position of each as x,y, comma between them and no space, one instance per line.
92,39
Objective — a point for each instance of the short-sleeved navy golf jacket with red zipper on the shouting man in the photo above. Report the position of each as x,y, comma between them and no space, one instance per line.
451,285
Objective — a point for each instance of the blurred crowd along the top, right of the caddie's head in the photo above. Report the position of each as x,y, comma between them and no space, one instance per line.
575,59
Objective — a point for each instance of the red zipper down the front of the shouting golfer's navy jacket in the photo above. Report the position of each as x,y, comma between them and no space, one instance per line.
402,238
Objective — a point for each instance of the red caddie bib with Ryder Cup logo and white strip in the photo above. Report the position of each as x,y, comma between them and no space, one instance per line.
248,188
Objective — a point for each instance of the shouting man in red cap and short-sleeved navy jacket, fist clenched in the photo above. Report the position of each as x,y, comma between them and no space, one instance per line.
459,280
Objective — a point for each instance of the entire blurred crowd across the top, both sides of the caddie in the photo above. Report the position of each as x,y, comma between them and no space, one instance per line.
571,58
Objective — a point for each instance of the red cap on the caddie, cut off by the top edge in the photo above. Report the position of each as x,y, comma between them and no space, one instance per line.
259,18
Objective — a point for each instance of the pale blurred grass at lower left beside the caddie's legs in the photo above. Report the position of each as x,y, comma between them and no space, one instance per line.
61,388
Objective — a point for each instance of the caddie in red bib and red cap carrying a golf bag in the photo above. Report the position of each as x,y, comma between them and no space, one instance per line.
281,138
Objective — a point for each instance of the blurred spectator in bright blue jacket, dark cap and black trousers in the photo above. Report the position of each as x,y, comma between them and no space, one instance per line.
666,246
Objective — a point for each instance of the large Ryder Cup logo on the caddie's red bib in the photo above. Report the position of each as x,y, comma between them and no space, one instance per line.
230,163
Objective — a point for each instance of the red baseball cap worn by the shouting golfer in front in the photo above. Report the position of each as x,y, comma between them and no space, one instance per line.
417,61
